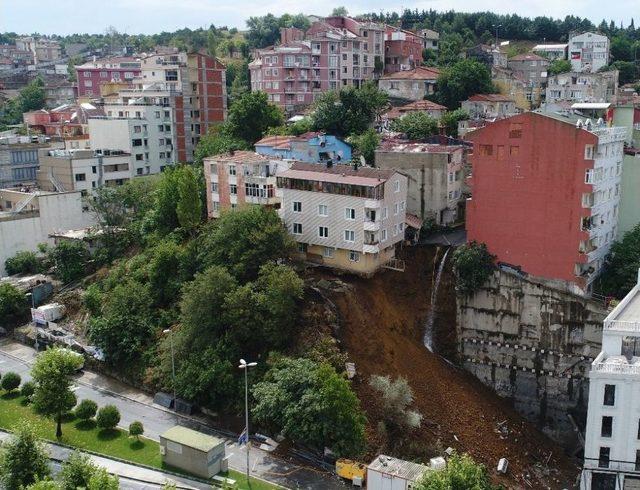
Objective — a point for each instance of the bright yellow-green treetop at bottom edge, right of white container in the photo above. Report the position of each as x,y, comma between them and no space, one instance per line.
461,473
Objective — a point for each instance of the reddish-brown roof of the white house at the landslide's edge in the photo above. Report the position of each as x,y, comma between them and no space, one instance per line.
338,174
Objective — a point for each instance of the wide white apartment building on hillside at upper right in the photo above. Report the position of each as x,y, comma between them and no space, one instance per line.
582,87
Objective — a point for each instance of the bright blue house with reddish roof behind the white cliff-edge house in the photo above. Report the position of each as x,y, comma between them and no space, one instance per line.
308,147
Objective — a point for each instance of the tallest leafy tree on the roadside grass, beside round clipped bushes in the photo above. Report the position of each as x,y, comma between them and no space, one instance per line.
52,373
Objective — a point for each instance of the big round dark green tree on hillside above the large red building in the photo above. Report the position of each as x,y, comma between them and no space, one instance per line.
461,80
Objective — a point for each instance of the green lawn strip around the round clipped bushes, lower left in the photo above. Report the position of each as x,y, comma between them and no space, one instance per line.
85,435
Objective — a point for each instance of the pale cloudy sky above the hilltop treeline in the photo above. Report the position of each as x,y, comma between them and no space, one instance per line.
152,16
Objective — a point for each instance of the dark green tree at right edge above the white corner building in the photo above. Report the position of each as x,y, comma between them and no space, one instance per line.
621,267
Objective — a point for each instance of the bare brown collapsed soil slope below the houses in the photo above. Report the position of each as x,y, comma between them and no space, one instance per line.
381,327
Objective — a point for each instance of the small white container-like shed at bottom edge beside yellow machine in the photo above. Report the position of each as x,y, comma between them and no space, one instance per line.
387,473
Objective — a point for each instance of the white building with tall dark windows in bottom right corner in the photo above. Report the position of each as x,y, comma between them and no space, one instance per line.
612,437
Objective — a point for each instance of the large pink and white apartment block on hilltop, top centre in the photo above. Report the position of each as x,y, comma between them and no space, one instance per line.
335,52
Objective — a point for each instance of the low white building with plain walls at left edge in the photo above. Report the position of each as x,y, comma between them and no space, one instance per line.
27,217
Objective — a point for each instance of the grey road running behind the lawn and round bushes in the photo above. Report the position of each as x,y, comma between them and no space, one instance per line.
135,405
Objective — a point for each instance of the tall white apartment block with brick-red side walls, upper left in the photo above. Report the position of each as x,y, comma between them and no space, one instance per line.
192,87
